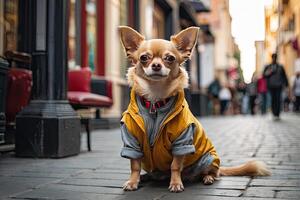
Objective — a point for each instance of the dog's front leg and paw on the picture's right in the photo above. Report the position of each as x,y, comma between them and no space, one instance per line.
176,168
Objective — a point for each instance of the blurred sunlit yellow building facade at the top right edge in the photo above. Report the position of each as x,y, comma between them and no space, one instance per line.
282,25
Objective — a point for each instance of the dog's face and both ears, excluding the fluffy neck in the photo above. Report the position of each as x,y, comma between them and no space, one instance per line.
158,59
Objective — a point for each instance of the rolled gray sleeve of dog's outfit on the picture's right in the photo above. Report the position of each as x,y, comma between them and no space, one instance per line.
184,143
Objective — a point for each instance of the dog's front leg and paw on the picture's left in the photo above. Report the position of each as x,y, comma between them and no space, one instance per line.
133,182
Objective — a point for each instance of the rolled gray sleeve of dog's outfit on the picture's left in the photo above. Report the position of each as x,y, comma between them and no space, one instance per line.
131,148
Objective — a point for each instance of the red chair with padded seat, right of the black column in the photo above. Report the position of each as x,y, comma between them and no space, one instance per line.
80,96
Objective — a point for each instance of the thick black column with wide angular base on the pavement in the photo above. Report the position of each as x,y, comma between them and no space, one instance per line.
48,126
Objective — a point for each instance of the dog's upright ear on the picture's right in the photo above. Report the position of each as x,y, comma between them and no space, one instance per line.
185,41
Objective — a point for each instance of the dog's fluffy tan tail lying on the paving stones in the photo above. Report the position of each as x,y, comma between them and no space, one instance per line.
250,168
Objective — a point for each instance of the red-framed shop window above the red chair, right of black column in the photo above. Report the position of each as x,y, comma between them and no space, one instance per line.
86,38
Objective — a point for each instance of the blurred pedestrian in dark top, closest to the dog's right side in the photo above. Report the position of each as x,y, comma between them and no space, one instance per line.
213,93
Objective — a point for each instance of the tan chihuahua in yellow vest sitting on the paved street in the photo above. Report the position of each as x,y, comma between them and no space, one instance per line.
160,134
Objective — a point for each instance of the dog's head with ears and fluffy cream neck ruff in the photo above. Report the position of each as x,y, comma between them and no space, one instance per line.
157,72
